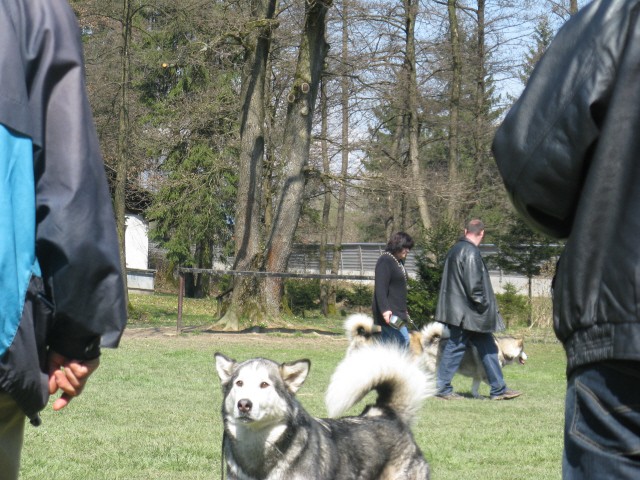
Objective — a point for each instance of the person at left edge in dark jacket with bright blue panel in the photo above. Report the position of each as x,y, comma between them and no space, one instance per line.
61,289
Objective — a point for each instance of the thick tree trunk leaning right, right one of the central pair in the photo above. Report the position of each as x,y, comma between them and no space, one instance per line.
297,140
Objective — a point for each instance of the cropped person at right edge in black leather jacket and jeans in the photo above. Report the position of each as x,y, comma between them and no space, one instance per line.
569,154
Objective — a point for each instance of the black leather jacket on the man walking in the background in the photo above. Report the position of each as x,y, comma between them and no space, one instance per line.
466,296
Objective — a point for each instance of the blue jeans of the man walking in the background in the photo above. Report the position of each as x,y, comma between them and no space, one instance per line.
453,352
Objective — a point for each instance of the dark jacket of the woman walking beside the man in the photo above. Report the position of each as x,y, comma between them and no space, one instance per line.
390,289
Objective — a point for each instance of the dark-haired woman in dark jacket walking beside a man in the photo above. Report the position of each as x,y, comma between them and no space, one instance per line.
390,290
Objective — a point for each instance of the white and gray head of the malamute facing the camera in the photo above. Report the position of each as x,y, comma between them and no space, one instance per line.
256,391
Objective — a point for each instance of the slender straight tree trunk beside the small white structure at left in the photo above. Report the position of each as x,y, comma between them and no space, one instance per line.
123,139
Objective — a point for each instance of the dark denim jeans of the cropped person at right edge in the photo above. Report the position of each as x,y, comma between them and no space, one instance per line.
602,422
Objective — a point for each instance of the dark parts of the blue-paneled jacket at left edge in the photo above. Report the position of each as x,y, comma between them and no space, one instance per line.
77,304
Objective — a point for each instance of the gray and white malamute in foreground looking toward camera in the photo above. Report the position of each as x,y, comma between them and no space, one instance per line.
268,435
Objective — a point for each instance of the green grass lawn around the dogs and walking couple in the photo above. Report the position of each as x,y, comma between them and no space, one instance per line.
152,411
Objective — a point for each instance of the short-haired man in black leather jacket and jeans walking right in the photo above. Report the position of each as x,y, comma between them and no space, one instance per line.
468,308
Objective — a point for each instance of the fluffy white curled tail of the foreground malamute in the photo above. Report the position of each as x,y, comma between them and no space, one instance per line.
401,384
